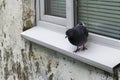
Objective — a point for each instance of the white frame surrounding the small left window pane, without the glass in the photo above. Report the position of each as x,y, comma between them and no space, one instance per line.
67,22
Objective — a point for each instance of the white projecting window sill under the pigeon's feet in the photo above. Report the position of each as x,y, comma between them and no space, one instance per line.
103,57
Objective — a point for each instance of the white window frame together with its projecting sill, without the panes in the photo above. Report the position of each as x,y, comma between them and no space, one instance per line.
95,55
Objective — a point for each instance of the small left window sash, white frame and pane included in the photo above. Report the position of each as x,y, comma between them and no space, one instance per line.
57,11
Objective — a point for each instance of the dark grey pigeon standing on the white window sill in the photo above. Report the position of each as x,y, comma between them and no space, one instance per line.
78,36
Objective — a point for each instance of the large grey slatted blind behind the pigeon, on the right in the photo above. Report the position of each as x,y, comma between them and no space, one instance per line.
100,16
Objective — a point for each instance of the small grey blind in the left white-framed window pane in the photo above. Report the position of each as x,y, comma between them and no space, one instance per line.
55,7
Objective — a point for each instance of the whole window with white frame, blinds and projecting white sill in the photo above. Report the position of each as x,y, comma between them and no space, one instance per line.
101,18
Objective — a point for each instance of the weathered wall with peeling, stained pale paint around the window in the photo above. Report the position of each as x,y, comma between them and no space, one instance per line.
23,60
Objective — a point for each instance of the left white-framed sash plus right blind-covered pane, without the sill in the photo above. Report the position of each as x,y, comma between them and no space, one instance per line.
100,17
